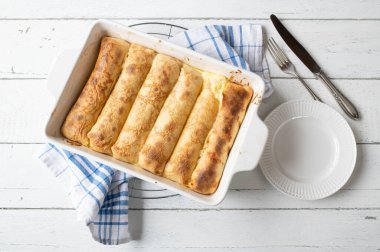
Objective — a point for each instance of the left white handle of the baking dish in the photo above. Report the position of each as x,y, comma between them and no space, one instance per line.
60,72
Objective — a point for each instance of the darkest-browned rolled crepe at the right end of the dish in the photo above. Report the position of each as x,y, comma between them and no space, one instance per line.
206,175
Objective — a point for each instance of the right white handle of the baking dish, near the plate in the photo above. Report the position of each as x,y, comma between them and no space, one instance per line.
253,146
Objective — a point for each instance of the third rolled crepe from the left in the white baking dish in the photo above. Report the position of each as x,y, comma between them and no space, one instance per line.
150,99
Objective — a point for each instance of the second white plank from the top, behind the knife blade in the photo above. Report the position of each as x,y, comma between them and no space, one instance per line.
345,48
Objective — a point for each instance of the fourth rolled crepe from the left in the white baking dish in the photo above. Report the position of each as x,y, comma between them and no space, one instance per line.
167,129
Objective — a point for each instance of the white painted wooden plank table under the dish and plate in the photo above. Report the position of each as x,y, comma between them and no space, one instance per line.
36,215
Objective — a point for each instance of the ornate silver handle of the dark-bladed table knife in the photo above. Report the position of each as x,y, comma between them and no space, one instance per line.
343,102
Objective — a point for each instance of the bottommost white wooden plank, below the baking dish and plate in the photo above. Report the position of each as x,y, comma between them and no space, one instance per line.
194,230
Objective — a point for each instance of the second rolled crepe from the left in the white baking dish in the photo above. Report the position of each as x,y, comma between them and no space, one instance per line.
112,118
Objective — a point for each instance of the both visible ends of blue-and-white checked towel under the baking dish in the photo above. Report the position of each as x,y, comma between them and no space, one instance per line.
98,192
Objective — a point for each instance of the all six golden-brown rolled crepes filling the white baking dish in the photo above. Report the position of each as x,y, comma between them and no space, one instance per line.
154,111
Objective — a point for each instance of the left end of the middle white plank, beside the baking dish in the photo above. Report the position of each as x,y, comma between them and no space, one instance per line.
24,109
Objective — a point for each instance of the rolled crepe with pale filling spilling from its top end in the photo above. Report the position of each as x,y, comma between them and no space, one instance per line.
186,153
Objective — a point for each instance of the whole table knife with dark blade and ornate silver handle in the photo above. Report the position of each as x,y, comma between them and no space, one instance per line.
310,63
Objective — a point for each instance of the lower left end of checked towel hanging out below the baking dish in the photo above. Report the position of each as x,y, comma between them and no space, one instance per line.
98,193
